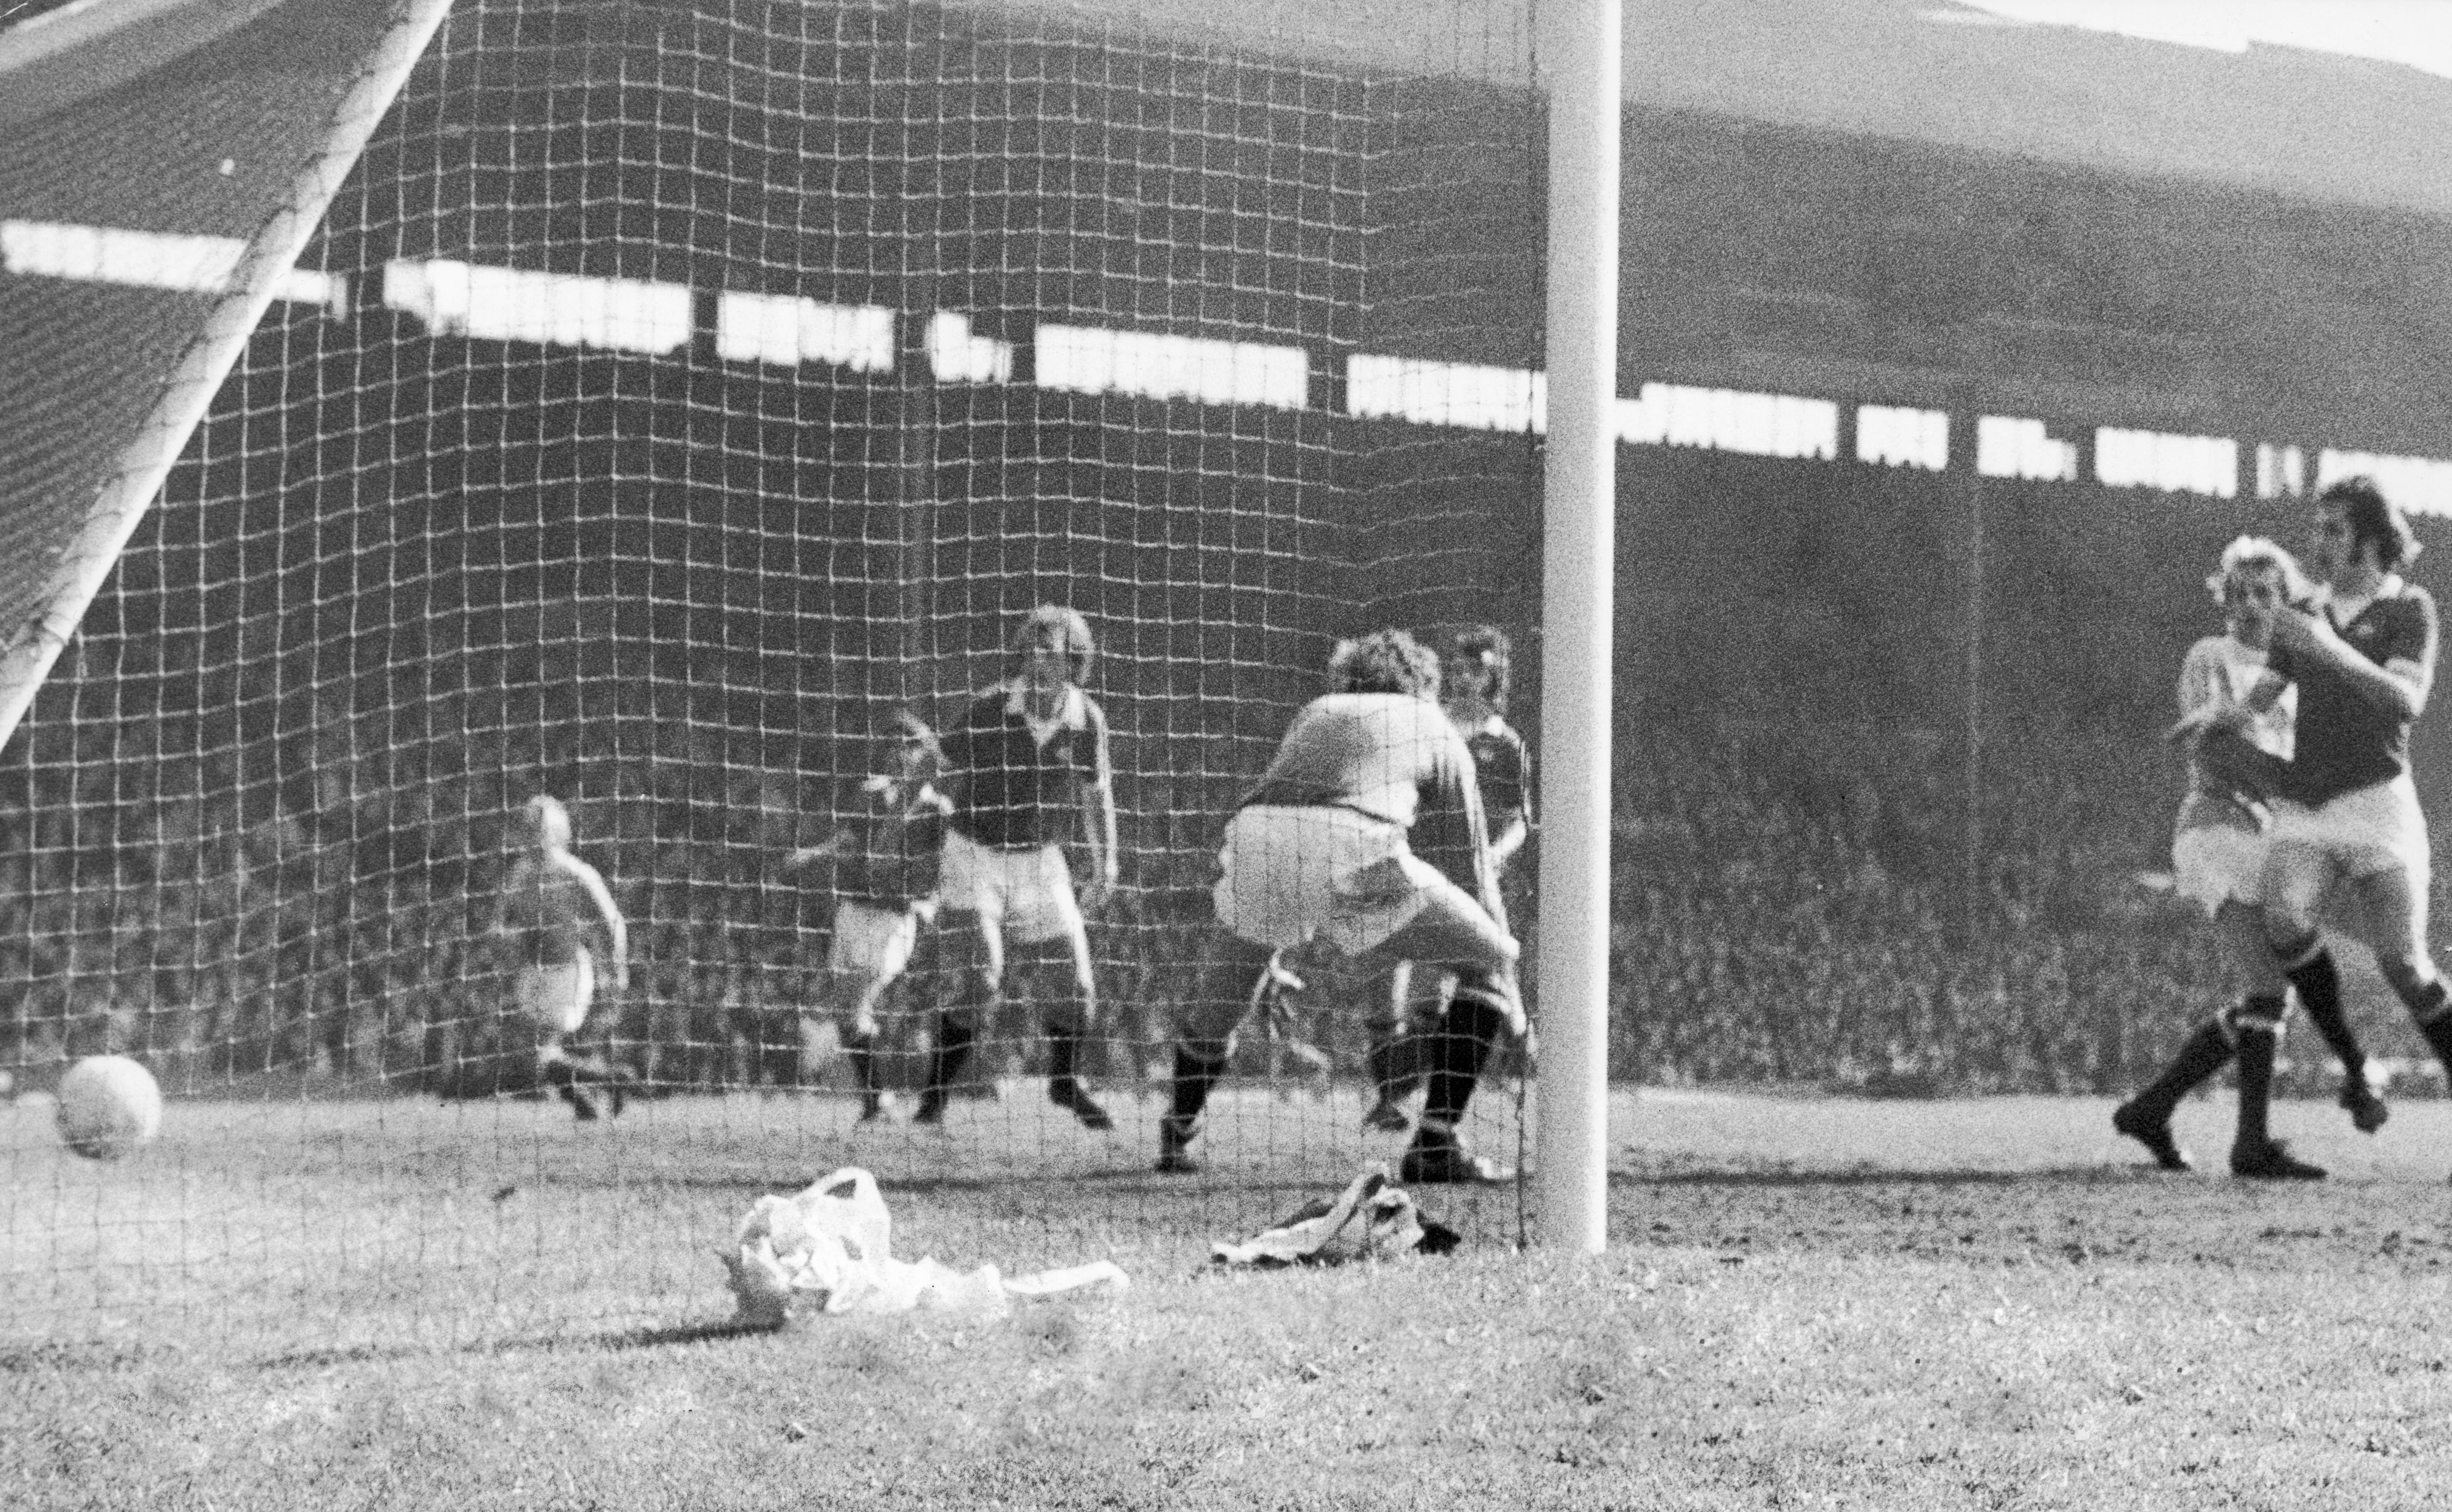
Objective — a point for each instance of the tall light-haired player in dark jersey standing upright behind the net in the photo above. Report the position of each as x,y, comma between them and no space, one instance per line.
1029,768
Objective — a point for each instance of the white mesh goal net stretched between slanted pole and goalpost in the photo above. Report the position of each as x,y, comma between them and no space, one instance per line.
671,398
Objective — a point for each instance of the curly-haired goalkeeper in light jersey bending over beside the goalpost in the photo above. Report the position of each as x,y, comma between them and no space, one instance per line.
1367,830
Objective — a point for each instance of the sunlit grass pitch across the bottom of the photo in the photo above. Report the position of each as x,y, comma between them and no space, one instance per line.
1806,1302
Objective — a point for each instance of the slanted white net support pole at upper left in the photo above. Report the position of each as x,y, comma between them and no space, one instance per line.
188,393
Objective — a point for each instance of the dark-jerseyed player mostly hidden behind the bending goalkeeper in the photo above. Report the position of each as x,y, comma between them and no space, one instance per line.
1475,692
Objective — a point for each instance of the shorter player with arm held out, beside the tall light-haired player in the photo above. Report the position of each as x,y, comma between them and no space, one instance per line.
886,888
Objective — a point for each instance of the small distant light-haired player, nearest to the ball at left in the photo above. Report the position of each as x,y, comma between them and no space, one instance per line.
548,913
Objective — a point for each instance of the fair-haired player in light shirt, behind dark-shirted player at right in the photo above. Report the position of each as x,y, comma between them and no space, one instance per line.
2218,864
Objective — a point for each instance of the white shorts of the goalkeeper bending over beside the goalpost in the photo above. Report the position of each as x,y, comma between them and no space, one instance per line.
1315,871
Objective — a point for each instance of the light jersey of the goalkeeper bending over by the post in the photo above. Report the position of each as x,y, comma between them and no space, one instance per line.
1396,758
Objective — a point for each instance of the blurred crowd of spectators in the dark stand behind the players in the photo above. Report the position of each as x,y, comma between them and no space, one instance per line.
1791,905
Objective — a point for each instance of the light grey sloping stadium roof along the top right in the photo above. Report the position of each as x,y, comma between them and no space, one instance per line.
1968,77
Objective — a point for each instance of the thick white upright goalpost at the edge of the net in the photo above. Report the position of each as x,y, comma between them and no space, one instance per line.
1580,55
